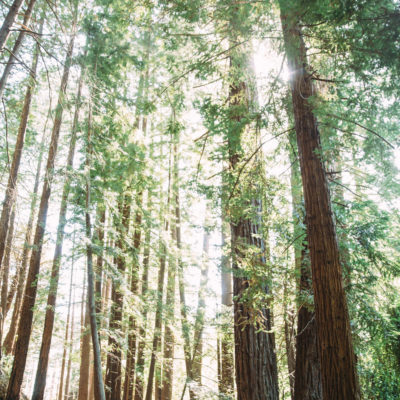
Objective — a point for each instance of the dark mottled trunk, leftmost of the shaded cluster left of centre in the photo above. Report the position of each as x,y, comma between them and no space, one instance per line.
113,370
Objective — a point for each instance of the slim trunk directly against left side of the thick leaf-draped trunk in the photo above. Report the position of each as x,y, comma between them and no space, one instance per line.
227,364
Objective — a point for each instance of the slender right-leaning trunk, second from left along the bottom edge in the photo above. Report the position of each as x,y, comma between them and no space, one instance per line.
41,372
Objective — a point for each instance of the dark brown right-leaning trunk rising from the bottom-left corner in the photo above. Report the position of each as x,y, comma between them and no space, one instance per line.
25,326
